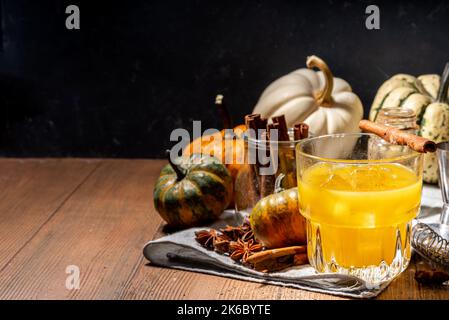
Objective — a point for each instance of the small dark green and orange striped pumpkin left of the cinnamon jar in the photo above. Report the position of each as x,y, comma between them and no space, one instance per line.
192,191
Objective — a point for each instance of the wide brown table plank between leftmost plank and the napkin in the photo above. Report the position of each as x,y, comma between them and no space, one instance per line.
100,229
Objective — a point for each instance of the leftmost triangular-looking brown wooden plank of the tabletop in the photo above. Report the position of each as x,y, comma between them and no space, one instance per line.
31,192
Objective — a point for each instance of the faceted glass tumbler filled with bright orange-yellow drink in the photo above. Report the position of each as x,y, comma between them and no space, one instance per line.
359,195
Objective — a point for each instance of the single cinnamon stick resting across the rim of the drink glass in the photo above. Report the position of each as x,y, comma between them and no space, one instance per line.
396,136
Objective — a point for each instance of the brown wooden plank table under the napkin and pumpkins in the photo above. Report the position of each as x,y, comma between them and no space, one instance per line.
97,215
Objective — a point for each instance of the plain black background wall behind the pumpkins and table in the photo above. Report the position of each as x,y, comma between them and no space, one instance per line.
138,69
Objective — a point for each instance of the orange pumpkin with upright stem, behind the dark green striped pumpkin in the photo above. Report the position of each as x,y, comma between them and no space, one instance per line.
229,149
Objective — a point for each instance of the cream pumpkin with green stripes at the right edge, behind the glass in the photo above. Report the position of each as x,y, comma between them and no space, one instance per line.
428,99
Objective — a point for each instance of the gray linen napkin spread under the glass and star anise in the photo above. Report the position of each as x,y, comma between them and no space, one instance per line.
180,251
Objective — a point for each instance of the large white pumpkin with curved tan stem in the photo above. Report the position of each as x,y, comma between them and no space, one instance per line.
325,103
